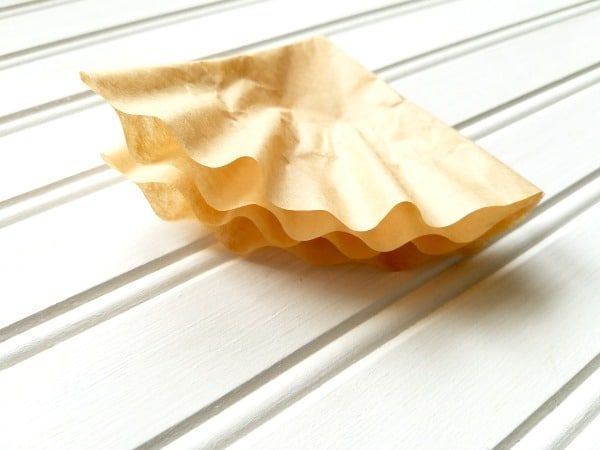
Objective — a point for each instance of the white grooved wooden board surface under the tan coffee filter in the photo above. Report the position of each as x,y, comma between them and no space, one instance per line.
118,330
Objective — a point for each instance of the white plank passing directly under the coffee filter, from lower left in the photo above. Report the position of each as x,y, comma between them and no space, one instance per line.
235,309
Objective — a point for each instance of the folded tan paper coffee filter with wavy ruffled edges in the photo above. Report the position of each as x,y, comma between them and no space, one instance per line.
300,147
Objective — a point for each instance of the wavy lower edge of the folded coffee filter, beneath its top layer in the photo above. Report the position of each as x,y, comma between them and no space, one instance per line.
160,181
